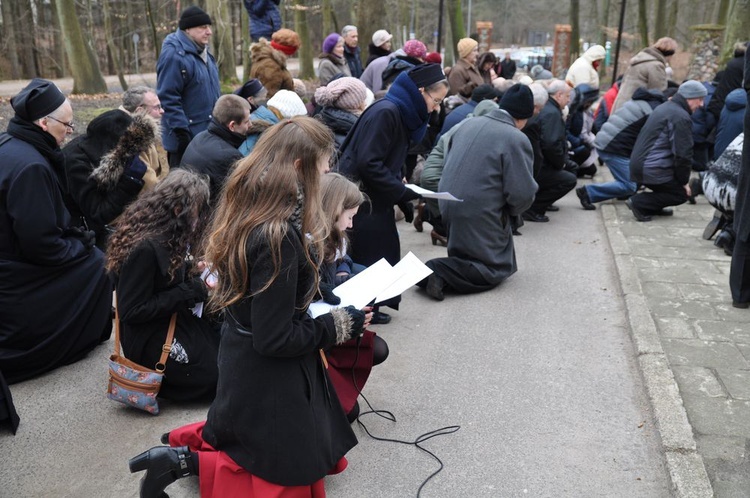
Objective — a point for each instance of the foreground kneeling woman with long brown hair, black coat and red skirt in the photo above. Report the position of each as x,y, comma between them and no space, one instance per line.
276,427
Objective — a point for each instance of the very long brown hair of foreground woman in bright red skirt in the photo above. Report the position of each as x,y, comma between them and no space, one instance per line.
262,193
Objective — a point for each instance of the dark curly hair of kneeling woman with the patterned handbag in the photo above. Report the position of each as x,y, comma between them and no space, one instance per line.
175,211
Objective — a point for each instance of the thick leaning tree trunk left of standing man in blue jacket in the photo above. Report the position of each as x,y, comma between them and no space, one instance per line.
87,78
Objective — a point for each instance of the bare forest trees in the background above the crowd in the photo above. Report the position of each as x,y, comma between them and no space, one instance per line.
88,38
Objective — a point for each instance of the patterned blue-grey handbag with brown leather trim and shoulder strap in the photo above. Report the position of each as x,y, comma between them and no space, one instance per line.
133,384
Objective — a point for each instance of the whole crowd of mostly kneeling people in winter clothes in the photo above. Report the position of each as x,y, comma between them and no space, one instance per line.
182,184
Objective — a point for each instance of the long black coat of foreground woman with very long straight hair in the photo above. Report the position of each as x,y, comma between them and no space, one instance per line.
276,413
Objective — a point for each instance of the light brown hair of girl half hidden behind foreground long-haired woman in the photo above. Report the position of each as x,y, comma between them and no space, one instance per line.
338,194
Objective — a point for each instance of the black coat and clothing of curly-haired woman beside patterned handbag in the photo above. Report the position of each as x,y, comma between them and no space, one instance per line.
146,299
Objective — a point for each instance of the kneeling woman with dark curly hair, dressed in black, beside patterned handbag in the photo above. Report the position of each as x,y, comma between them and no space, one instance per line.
149,257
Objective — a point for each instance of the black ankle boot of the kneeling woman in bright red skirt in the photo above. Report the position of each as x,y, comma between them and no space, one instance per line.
163,466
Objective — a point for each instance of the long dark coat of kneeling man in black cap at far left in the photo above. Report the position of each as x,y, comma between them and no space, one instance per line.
55,297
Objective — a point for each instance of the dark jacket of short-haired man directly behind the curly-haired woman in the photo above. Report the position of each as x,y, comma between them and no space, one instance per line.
213,152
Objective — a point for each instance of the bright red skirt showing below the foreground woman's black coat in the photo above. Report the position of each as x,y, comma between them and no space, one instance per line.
221,477
